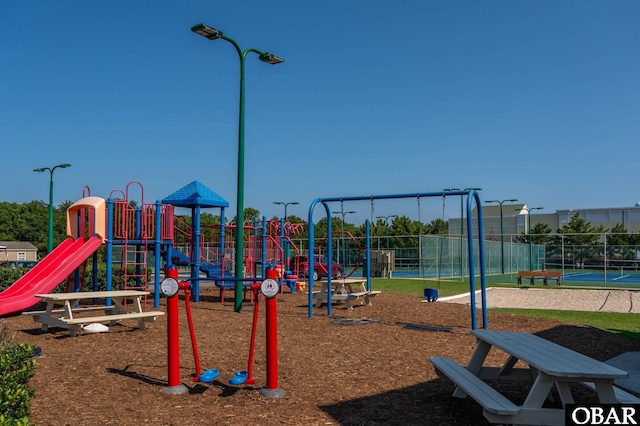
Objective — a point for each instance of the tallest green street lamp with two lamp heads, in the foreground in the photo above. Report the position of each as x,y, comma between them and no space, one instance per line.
213,34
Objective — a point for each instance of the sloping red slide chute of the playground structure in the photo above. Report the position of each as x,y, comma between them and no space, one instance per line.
47,274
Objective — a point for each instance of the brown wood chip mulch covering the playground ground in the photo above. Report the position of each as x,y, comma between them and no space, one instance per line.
373,371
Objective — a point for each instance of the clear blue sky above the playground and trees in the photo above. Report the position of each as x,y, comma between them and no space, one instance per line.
534,100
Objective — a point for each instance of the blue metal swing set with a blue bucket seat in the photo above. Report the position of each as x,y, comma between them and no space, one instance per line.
432,294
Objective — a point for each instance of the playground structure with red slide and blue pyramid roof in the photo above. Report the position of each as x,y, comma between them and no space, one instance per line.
137,234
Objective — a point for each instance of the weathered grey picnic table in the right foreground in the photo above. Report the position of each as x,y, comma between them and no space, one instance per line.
549,365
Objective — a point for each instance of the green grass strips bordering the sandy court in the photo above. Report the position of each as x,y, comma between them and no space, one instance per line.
624,324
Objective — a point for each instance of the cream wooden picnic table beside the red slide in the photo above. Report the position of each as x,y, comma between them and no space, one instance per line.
63,308
